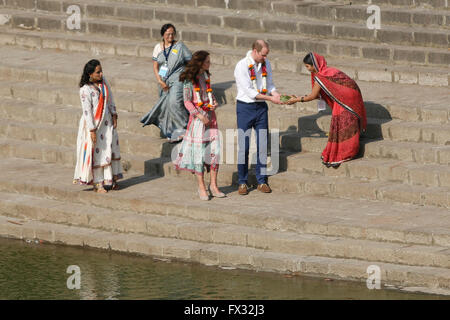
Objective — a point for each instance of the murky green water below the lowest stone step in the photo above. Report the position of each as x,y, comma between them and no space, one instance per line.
38,271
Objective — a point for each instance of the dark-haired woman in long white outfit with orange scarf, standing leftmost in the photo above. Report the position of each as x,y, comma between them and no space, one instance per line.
98,152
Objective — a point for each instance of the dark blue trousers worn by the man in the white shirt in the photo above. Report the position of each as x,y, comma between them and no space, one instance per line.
252,116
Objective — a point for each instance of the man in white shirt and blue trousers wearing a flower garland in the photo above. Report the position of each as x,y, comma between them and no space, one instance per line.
254,83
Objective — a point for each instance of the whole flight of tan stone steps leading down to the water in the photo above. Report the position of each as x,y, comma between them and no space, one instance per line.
390,207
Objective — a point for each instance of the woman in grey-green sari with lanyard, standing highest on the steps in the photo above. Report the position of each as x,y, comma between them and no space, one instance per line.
169,59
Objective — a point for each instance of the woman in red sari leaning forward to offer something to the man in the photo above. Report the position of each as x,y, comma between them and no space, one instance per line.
344,97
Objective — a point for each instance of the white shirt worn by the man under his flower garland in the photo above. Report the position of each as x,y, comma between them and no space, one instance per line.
245,90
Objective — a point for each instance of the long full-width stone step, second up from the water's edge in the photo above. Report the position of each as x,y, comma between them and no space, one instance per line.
30,208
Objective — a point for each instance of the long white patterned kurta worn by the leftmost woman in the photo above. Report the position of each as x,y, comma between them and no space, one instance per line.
97,163
